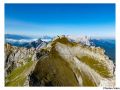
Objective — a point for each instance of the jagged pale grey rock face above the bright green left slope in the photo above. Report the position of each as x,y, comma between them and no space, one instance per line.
16,57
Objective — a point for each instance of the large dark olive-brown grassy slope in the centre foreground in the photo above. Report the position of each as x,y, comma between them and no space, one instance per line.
54,71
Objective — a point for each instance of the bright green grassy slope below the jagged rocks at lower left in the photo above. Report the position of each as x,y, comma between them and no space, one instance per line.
18,76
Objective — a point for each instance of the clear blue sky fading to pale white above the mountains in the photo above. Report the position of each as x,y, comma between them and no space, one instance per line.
96,20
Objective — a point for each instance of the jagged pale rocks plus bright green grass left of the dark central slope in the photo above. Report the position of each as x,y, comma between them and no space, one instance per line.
19,64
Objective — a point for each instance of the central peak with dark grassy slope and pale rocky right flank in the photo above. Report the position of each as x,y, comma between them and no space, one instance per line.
90,65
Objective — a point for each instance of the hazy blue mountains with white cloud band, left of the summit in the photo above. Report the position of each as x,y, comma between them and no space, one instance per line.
26,41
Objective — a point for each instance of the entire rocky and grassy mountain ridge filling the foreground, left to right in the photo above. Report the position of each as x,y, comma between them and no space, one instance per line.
60,62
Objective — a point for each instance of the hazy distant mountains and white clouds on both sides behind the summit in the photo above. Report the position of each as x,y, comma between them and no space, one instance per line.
25,41
